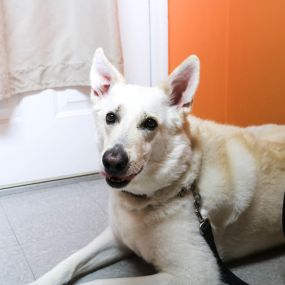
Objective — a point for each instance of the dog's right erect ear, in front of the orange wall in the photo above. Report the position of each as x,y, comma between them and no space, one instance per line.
183,81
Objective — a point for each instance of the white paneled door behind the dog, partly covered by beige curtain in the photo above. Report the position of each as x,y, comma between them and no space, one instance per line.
51,134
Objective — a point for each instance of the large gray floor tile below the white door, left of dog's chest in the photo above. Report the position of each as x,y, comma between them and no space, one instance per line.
45,214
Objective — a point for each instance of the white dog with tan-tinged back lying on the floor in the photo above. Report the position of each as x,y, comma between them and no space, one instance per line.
151,149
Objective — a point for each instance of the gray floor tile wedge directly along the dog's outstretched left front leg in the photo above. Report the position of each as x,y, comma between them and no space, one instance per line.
45,254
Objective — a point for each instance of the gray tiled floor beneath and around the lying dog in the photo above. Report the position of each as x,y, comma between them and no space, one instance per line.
40,227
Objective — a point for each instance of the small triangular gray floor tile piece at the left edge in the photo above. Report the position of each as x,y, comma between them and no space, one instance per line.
7,237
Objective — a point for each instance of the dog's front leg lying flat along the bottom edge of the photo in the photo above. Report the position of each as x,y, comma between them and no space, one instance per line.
161,278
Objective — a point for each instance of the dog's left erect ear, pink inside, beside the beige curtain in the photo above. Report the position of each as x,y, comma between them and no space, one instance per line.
103,74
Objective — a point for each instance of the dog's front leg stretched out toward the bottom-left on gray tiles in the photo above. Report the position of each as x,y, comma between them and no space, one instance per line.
102,251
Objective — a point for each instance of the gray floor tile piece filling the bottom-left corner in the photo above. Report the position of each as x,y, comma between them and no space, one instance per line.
14,268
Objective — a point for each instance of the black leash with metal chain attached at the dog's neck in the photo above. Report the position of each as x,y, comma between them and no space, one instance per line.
227,276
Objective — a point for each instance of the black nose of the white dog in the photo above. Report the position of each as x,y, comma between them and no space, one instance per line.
115,160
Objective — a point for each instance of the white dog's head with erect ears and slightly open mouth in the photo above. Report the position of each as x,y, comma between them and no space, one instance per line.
141,132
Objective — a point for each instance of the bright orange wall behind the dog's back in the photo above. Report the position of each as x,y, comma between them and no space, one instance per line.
241,45
